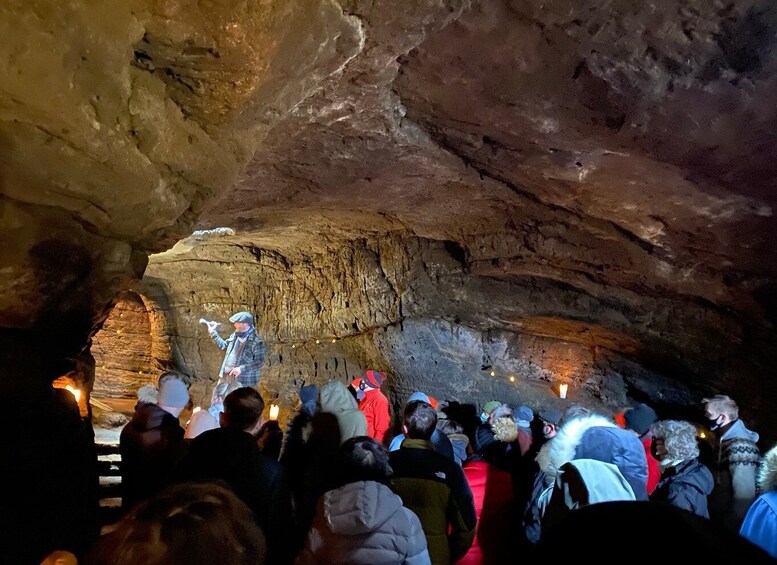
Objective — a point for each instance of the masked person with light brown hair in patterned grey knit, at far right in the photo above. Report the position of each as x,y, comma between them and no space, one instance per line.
737,462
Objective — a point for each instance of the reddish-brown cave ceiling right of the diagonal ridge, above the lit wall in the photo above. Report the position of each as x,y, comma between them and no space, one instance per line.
621,152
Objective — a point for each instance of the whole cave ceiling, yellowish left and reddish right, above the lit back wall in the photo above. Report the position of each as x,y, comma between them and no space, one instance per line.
617,158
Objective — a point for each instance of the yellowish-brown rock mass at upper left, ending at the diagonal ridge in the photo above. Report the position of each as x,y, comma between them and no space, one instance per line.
118,122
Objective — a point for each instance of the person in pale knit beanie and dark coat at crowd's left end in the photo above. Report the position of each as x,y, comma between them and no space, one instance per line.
152,443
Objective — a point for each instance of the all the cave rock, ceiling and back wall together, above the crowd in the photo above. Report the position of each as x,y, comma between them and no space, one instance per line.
550,190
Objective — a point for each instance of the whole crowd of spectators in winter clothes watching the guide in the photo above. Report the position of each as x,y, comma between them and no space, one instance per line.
439,482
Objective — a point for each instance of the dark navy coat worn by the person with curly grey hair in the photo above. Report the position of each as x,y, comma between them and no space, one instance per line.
686,486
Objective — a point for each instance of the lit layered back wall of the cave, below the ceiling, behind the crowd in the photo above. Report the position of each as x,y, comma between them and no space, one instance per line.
410,307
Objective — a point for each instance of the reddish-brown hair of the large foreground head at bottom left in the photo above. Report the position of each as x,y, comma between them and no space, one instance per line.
187,524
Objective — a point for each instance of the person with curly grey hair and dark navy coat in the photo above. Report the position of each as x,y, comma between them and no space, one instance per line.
685,482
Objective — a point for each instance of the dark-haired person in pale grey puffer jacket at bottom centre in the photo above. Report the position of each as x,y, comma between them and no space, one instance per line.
362,521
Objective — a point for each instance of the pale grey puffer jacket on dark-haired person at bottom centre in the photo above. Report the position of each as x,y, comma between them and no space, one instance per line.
364,523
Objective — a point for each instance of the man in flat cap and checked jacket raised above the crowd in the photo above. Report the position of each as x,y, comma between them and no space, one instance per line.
245,350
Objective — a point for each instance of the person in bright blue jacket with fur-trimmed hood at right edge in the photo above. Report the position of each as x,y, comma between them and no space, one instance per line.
760,524
